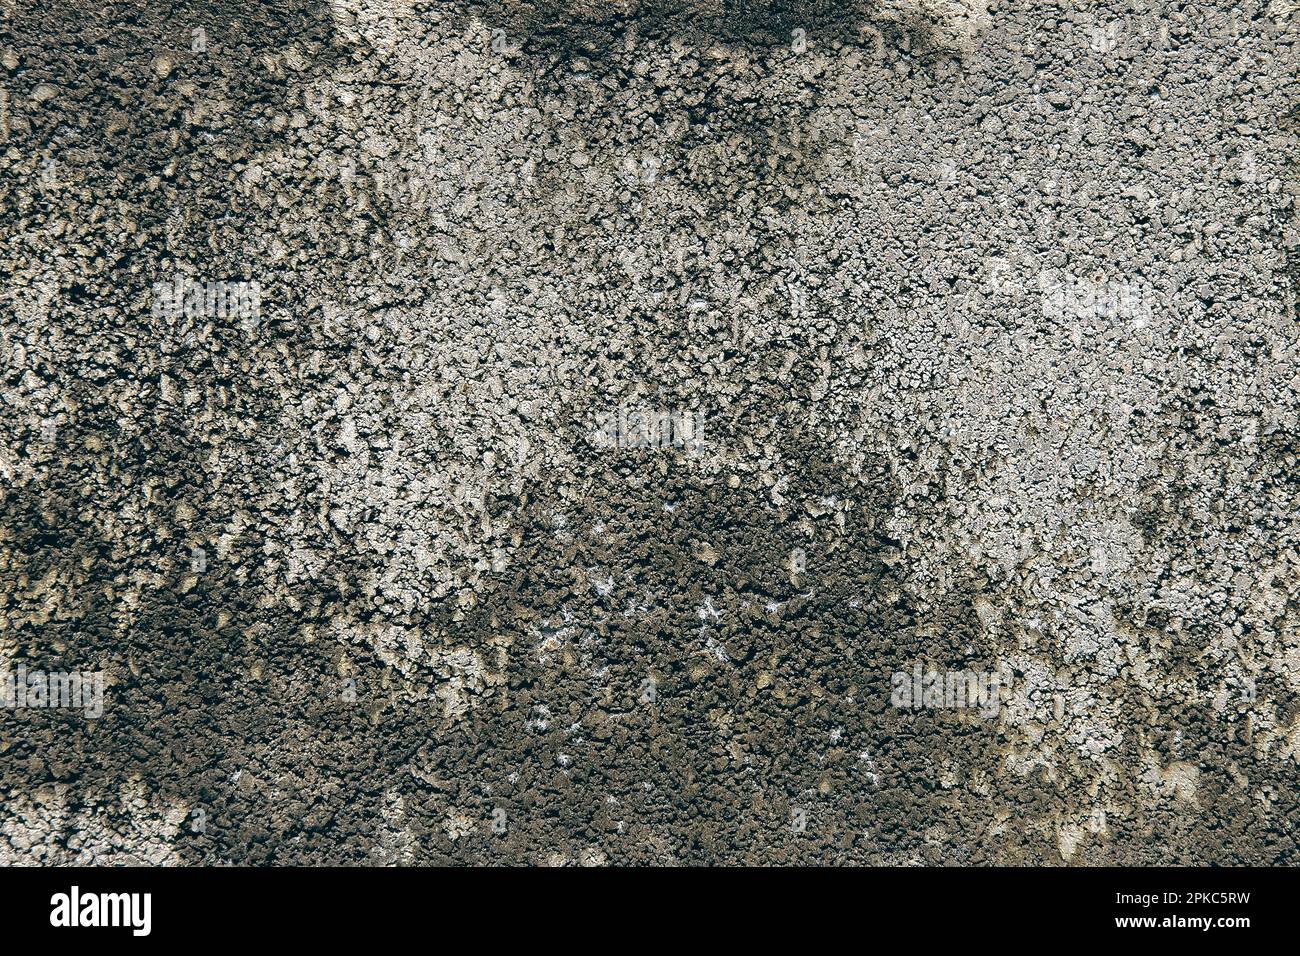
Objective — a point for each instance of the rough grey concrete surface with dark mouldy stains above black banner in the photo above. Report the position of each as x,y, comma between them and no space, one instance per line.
613,405
